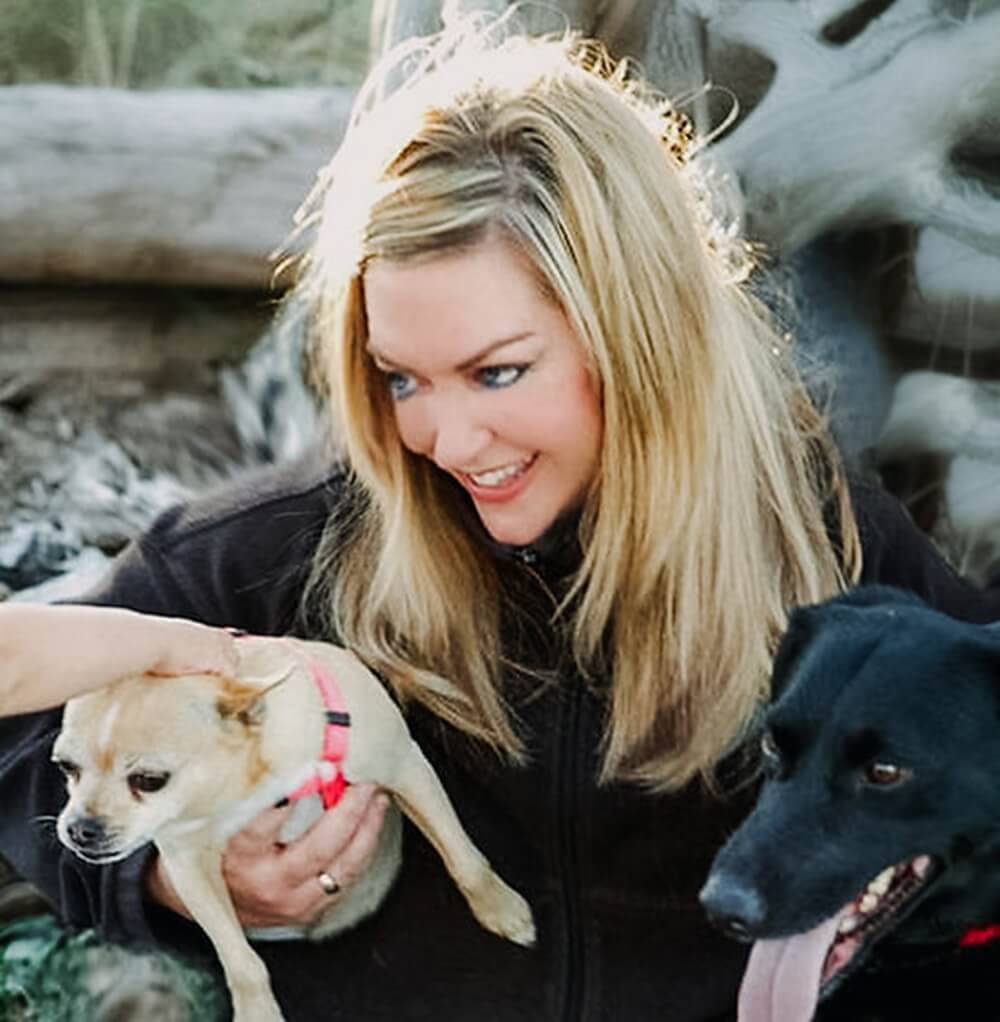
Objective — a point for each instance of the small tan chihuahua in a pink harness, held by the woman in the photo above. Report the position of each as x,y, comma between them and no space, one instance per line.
188,762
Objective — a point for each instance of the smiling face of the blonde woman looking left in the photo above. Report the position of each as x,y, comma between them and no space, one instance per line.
489,382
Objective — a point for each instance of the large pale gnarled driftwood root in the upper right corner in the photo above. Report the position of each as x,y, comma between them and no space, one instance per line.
894,126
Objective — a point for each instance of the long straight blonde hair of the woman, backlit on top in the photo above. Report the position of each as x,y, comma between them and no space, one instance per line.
708,519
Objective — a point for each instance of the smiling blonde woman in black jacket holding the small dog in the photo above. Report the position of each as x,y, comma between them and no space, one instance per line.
580,487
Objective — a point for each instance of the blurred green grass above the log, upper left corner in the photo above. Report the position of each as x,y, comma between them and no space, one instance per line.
149,44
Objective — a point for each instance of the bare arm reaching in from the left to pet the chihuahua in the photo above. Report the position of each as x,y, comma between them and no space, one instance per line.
50,655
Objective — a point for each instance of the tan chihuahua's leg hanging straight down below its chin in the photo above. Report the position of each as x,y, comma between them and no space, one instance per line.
197,875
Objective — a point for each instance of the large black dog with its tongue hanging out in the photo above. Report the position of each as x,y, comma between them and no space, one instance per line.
877,835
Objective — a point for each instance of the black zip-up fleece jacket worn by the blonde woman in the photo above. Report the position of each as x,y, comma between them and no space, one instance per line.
612,872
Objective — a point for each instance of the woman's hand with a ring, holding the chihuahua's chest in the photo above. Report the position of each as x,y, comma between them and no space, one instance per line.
276,885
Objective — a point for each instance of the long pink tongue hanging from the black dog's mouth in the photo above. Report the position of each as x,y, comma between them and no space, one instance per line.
782,982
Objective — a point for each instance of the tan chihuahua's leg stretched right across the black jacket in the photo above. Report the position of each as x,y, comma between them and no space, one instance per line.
424,800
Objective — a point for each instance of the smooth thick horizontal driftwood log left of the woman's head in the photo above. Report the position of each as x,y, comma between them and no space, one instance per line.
176,188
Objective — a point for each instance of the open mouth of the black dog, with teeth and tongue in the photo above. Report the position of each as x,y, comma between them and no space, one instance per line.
787,978
